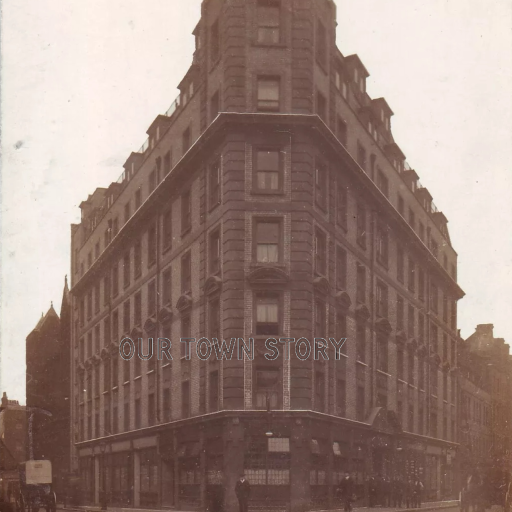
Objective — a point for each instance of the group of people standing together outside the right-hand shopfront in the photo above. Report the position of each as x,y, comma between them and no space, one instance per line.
395,492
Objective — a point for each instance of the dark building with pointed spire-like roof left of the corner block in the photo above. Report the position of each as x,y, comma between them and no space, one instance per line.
47,388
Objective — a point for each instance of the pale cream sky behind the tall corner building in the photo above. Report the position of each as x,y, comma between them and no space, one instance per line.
82,81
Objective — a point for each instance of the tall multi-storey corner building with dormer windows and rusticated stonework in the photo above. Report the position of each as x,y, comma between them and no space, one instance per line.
271,200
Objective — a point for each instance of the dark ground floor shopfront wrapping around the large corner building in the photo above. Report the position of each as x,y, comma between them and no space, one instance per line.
293,460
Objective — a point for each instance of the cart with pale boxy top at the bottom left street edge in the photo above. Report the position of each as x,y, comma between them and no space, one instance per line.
36,487
